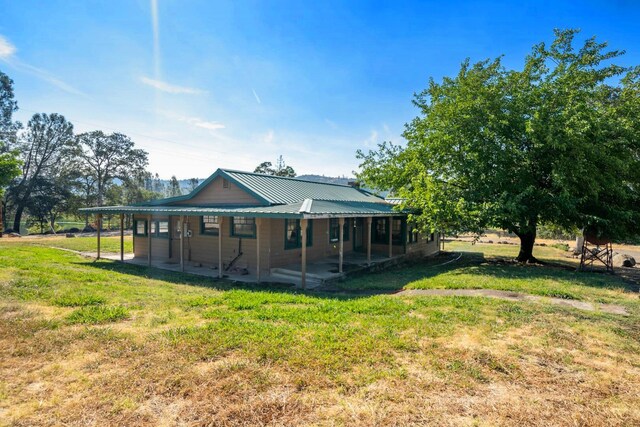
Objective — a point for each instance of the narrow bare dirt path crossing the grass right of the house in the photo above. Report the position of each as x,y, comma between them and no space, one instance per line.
517,296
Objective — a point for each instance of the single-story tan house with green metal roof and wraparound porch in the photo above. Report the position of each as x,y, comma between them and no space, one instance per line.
261,222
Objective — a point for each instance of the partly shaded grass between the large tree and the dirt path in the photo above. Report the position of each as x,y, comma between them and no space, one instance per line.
489,266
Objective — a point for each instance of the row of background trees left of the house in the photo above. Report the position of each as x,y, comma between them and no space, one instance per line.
47,171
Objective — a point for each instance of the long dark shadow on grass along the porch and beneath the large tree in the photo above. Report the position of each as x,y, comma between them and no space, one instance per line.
393,279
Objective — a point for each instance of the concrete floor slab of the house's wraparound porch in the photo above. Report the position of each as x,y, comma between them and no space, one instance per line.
318,272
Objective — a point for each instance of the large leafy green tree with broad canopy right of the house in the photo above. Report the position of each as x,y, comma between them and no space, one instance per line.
557,142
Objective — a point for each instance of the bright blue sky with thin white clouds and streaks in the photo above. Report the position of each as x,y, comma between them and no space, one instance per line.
204,84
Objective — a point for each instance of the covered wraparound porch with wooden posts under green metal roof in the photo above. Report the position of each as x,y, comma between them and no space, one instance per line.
305,272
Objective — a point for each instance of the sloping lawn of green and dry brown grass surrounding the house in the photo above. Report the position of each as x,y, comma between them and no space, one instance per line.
104,343
